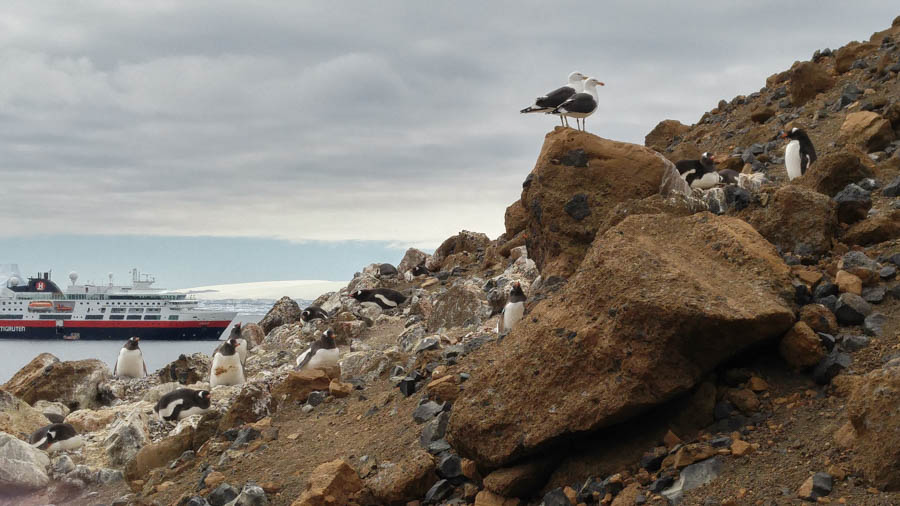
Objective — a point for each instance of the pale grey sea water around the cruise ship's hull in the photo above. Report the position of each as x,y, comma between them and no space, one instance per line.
16,353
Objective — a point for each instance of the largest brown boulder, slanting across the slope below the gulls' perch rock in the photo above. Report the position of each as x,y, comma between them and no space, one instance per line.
654,294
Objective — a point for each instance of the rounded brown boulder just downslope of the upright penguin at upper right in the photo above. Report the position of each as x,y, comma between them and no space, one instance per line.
797,220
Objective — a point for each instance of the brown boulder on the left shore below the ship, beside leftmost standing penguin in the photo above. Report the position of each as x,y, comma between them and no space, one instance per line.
74,383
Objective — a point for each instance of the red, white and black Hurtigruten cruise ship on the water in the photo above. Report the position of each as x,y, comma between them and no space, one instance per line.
37,308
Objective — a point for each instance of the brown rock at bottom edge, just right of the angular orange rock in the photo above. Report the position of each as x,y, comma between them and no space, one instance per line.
396,483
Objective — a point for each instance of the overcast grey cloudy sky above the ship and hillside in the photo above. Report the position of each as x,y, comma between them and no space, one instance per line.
216,142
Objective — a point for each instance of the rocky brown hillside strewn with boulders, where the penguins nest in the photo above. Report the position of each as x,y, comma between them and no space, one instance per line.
733,346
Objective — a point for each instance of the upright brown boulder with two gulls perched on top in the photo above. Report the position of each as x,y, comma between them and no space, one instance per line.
577,179
